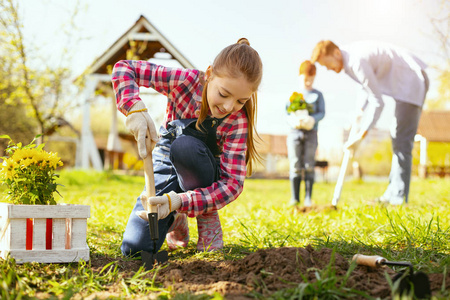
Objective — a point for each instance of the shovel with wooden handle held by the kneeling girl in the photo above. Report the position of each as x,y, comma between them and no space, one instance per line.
149,259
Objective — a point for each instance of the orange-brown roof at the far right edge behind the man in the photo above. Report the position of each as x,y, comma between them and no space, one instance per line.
434,125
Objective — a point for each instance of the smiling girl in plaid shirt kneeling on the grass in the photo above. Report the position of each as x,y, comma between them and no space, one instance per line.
205,148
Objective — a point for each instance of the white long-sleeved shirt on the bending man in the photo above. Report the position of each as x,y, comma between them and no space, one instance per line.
384,69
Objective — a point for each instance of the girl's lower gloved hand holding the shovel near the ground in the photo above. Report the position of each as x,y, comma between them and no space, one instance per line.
165,207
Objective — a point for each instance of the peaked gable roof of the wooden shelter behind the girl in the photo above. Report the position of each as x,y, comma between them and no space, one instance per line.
147,41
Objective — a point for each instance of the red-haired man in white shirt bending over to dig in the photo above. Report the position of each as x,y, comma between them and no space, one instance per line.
383,69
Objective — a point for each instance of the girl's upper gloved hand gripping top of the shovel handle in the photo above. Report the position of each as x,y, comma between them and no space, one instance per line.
138,123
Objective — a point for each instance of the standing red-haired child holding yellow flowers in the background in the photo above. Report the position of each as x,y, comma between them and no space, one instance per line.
302,139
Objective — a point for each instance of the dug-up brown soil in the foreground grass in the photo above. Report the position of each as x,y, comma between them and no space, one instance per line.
267,271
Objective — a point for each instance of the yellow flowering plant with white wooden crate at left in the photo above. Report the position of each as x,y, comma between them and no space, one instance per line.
32,226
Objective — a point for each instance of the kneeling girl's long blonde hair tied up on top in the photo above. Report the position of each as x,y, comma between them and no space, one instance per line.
237,60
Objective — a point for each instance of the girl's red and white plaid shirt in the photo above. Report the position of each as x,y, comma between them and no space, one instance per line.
183,88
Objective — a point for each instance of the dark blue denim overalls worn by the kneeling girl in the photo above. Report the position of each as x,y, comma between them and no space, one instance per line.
183,159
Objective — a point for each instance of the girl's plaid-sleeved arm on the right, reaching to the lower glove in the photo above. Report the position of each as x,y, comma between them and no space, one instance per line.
233,171
